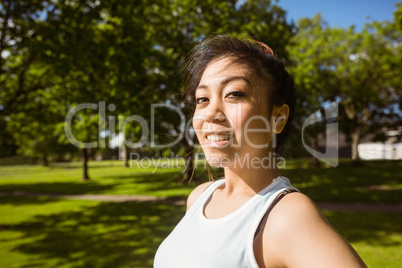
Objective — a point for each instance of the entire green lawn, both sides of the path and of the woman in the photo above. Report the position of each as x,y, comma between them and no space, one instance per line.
53,232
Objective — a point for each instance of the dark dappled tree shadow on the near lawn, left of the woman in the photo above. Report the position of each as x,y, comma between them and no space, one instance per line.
106,235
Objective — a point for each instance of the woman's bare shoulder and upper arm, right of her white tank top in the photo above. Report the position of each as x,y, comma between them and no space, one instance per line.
297,234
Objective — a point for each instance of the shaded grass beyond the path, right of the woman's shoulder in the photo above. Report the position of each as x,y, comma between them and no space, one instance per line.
346,183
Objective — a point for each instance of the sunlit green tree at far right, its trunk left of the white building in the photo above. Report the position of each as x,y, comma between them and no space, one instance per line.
359,70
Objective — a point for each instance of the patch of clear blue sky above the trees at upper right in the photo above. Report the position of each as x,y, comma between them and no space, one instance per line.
341,13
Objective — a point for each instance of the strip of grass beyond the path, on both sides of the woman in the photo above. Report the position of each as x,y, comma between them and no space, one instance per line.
345,183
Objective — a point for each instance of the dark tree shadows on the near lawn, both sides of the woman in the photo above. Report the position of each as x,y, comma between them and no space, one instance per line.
128,234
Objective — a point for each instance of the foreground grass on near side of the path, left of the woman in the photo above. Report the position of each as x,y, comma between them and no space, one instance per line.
68,233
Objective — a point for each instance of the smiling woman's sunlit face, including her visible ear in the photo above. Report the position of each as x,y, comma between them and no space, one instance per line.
231,116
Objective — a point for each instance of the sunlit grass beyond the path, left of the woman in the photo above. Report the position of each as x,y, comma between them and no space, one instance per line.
107,177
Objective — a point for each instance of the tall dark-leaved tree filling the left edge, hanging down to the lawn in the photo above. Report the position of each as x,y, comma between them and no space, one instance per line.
25,79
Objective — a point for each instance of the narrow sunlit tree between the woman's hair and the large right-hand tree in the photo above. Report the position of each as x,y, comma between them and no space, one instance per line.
306,65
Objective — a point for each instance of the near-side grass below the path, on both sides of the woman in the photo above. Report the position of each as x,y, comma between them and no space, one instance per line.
67,233
